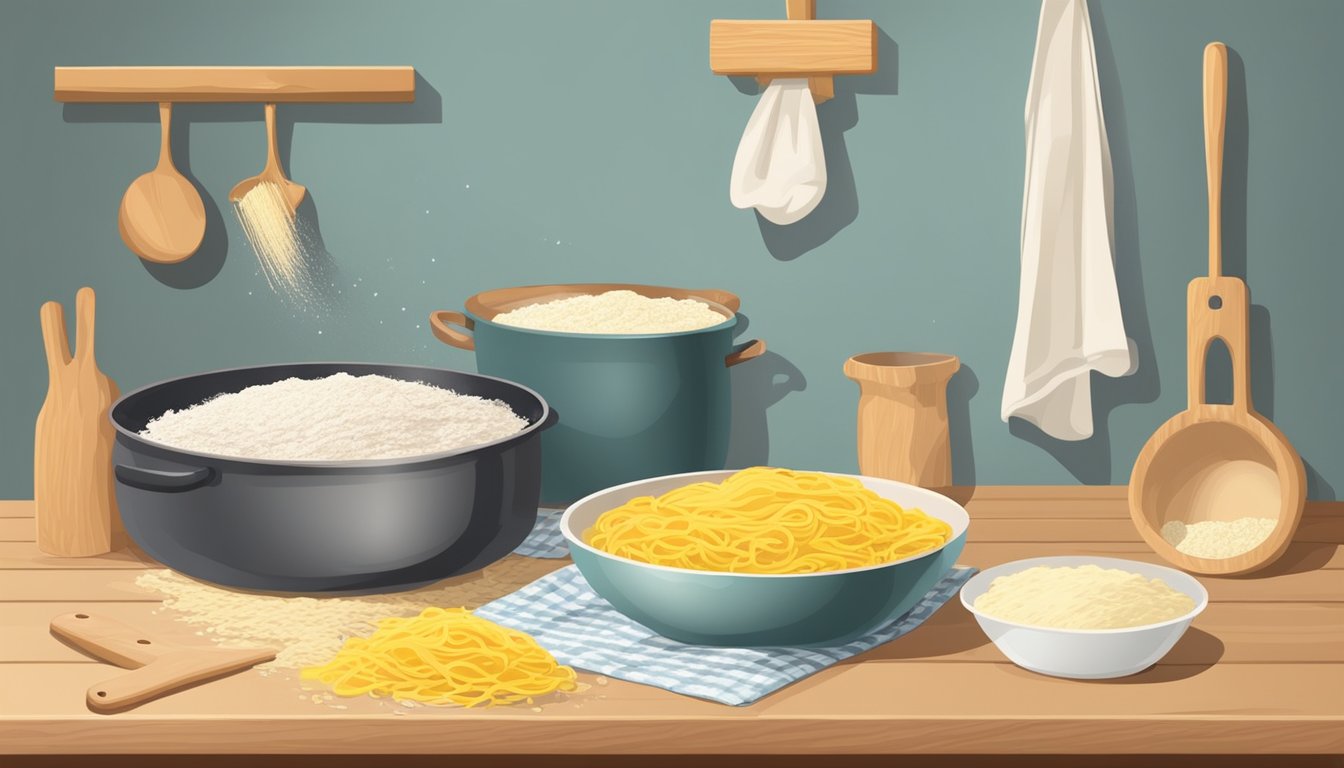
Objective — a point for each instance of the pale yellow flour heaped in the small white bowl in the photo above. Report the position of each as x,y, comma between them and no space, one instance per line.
1084,598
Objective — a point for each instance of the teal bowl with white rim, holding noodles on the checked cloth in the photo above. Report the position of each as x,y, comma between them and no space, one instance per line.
744,610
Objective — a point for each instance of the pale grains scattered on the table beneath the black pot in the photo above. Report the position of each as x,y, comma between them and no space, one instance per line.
310,631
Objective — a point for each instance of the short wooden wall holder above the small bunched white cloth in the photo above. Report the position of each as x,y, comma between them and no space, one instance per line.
800,46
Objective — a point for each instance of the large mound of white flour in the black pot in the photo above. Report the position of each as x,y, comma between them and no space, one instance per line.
335,419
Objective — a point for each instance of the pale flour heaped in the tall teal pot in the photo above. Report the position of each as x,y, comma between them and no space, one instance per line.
614,313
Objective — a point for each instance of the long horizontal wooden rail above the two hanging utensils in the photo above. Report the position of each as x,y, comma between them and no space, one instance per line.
267,85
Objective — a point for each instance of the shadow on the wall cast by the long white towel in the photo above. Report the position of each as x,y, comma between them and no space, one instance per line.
1091,461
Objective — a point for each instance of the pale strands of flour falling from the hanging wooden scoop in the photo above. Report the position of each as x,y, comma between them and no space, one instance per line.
272,228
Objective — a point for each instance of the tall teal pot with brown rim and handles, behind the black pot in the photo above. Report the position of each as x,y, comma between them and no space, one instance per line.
630,406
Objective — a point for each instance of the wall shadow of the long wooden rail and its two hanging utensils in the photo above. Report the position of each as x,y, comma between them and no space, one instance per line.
210,259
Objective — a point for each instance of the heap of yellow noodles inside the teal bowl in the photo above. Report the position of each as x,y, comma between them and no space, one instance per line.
768,521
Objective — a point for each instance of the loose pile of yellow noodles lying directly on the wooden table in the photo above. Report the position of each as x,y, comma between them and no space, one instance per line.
446,656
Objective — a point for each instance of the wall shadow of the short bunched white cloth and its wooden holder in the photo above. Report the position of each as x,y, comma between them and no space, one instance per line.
841,205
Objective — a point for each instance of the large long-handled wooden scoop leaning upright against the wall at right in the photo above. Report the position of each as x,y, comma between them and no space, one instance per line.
1218,462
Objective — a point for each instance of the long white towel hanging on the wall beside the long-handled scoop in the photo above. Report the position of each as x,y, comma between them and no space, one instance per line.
1069,319
